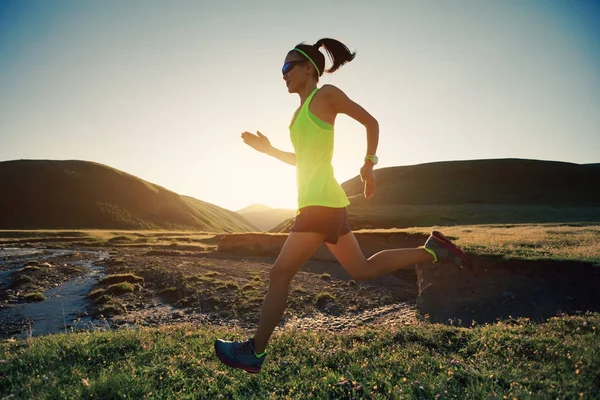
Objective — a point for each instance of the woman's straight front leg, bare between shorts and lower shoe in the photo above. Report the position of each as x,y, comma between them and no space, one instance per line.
296,251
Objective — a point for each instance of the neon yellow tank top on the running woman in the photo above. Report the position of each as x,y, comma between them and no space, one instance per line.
313,143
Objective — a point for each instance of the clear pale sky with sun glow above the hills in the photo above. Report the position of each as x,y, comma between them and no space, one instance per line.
163,89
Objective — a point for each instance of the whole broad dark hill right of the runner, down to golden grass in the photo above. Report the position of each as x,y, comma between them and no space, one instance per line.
476,192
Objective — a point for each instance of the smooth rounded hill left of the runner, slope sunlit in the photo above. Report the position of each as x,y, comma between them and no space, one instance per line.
45,194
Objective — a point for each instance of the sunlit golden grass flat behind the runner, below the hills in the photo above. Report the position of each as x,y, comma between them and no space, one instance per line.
577,242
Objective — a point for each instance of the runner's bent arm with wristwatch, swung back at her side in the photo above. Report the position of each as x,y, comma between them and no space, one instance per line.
342,104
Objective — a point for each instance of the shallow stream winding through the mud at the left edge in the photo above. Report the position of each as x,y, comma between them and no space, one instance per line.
65,305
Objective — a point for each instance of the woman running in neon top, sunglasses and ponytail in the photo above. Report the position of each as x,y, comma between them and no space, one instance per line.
321,200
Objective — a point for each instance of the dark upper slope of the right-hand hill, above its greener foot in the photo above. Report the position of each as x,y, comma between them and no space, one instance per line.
499,181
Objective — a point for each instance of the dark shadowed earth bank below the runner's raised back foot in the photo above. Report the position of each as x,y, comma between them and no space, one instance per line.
535,289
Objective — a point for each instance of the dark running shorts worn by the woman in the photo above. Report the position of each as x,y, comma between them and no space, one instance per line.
329,221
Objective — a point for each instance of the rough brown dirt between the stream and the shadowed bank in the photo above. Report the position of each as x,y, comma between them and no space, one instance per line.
233,288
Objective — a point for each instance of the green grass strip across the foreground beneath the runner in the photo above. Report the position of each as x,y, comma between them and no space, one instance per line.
516,359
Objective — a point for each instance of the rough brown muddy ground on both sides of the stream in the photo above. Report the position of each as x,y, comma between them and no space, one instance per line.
151,286
